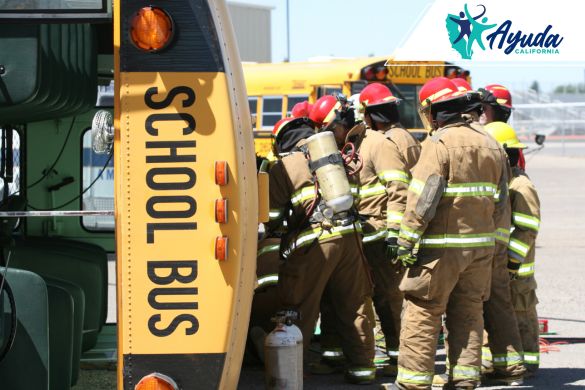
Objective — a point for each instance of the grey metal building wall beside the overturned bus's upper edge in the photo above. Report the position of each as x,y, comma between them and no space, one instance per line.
252,28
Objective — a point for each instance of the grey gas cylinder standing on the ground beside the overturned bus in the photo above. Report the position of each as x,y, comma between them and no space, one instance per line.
283,356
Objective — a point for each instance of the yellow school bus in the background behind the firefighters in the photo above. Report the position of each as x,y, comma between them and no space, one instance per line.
274,88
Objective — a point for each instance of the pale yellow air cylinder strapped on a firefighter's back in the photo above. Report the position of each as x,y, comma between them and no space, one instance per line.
326,161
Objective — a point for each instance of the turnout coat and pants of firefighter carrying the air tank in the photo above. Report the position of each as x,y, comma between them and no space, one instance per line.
320,254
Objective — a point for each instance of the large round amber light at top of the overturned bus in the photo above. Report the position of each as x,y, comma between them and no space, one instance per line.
151,29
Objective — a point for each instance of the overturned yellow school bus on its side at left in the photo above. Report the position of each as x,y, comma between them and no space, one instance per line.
175,213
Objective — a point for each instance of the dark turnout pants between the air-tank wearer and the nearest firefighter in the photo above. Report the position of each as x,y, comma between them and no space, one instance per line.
387,296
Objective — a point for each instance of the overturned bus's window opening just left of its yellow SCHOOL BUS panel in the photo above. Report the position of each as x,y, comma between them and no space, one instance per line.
101,194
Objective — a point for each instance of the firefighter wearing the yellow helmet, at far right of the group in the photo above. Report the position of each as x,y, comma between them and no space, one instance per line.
525,225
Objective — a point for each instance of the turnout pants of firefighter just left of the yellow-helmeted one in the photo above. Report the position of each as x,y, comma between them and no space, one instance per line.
500,322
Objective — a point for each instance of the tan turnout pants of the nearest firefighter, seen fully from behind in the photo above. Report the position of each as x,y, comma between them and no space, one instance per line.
455,284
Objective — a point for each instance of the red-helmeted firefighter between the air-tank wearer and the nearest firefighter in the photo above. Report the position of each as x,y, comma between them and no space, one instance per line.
381,114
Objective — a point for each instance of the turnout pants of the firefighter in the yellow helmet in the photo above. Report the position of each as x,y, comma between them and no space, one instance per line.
524,300
